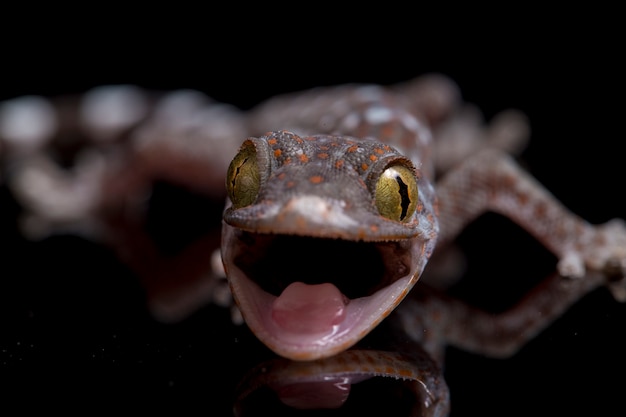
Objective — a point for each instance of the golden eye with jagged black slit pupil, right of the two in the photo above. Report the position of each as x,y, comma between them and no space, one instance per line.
396,193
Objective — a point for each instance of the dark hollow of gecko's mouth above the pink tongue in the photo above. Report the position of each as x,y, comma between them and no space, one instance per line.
356,269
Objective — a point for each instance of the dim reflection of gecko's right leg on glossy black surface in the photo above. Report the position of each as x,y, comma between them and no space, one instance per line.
501,334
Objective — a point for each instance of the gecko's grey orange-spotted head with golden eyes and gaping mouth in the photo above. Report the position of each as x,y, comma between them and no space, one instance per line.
318,253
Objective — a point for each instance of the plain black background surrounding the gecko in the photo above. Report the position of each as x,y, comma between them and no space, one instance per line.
74,318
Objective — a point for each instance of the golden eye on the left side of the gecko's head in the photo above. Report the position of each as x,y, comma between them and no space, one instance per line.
243,179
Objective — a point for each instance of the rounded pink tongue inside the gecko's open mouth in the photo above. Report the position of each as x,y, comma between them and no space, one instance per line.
303,308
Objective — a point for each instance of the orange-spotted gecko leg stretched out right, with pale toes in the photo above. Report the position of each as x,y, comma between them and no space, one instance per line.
492,181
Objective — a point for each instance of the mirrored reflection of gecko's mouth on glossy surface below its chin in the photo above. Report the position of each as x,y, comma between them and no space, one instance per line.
363,382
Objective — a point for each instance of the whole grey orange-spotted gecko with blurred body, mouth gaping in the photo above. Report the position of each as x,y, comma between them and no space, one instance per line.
336,201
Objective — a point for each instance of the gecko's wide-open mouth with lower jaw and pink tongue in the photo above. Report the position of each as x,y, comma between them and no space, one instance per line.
308,297
